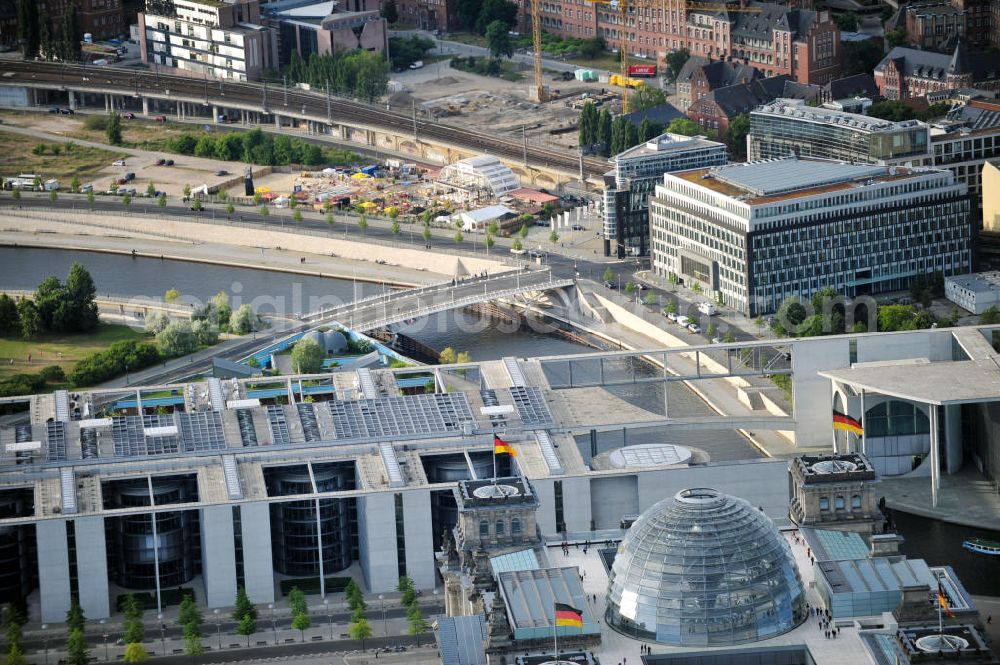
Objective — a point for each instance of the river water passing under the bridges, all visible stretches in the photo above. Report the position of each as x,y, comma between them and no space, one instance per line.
23,268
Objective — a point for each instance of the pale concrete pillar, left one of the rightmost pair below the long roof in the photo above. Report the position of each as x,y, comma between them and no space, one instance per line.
377,541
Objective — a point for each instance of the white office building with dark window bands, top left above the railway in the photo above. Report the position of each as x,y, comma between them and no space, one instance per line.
218,38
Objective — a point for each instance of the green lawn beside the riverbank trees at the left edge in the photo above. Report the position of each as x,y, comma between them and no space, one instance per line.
46,349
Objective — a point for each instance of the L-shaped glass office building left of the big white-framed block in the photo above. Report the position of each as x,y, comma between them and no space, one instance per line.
636,173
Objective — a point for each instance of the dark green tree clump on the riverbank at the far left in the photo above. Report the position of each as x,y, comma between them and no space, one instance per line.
54,308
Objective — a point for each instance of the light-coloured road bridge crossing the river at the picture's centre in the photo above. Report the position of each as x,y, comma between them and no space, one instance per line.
398,306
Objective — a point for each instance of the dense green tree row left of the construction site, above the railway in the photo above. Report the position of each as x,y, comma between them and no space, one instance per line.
361,74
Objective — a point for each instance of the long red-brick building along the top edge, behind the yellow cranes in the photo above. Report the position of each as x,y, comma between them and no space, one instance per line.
775,39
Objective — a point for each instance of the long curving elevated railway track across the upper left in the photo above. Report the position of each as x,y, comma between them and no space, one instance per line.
291,103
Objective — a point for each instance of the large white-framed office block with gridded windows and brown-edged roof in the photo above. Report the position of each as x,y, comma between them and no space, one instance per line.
754,234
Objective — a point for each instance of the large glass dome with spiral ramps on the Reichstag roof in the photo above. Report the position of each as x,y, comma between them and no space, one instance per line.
704,569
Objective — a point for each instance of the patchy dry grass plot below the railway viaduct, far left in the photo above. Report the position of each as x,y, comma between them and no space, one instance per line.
82,161
